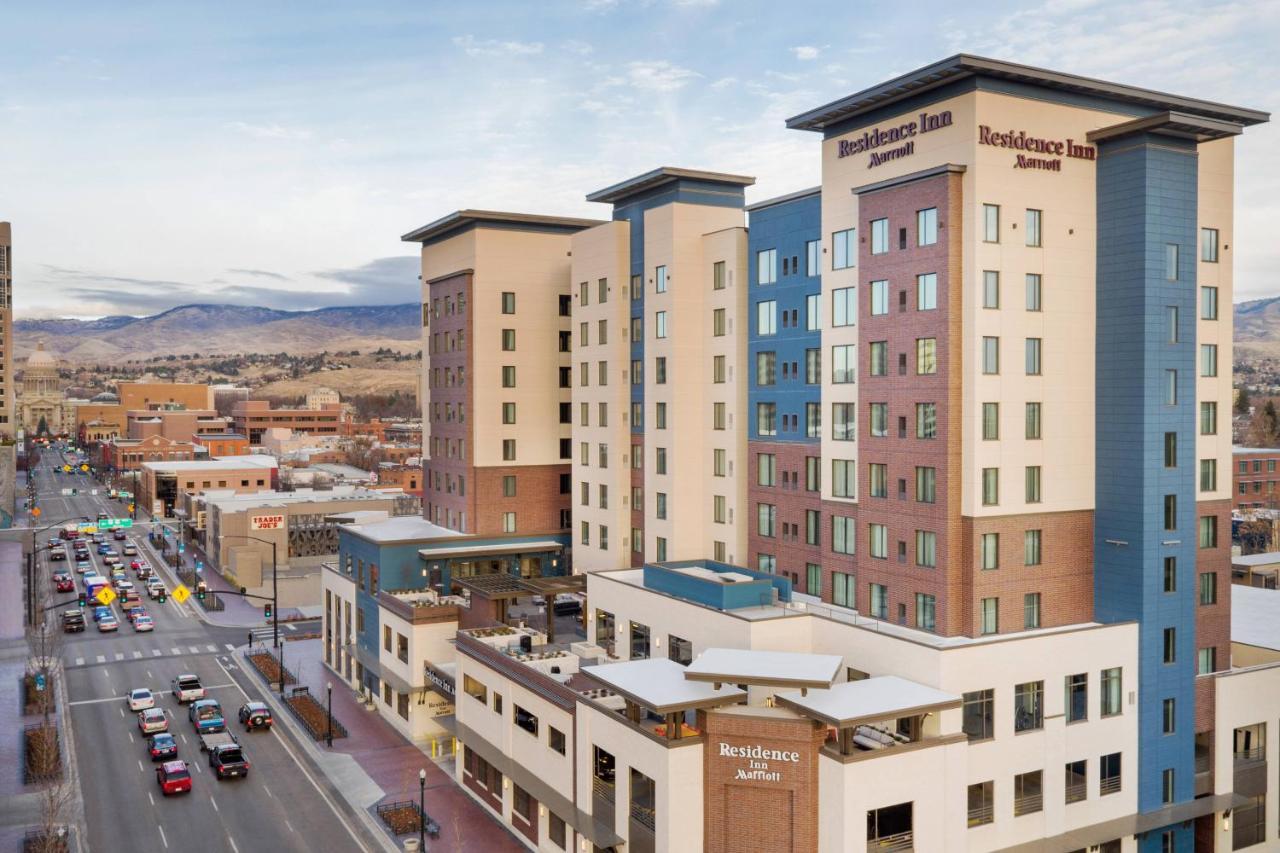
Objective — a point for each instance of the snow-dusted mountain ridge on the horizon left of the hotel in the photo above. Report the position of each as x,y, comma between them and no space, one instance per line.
225,330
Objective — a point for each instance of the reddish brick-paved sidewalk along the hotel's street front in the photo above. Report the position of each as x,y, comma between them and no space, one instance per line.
391,764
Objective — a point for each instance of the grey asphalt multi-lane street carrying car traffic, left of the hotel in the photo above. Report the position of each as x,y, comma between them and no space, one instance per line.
284,804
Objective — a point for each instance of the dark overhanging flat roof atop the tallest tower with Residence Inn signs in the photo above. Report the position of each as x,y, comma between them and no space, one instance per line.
963,66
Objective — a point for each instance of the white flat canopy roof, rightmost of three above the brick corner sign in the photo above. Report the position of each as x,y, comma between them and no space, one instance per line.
875,699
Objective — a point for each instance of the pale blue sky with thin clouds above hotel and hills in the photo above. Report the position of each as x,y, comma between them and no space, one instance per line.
272,154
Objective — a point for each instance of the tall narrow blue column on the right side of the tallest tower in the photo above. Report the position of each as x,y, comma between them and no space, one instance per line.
1148,200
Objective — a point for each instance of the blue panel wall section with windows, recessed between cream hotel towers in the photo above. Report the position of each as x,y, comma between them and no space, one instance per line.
787,227
